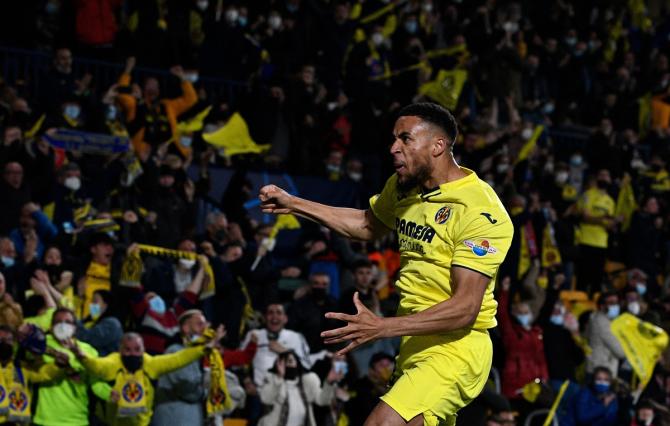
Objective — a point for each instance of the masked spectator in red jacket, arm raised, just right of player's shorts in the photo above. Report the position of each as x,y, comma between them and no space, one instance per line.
524,349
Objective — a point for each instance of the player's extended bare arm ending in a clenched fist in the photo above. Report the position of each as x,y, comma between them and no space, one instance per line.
352,223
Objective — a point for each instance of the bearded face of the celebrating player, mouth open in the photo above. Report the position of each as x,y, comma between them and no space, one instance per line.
411,151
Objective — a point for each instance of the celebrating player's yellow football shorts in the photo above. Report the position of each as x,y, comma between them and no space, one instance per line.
438,375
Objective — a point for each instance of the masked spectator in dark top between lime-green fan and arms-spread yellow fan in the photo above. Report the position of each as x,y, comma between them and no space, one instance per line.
101,329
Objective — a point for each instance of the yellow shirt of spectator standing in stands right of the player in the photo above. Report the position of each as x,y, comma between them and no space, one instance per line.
596,204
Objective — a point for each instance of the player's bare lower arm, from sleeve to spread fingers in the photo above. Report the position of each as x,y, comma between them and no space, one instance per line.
460,311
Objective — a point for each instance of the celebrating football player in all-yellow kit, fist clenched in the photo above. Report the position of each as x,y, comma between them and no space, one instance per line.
453,233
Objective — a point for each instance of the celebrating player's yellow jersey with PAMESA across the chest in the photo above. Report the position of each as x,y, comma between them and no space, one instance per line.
461,223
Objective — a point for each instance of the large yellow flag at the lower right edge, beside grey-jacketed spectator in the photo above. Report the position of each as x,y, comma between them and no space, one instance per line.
642,342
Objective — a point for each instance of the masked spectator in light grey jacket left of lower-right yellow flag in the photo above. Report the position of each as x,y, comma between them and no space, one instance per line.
606,349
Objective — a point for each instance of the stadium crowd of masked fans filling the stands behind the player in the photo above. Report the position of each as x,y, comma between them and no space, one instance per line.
129,296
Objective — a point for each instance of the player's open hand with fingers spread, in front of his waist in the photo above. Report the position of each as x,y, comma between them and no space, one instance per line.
363,327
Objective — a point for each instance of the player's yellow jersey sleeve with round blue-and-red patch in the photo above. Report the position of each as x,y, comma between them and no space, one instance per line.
483,242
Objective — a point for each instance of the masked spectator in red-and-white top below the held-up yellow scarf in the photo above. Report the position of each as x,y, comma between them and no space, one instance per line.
158,321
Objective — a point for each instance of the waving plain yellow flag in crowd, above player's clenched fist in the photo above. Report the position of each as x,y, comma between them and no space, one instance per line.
234,138
